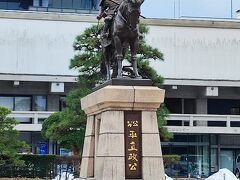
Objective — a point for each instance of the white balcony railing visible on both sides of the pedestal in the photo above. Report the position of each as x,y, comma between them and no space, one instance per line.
177,123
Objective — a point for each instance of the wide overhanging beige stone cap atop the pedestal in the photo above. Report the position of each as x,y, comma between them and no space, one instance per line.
124,98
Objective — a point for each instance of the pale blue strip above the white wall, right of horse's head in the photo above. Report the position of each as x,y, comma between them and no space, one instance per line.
190,8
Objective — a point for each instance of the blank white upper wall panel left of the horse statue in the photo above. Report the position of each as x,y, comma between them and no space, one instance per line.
37,46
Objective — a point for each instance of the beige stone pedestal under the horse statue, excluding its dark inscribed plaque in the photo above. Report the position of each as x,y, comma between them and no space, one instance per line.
104,147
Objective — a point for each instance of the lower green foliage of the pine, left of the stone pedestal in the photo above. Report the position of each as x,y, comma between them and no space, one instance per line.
68,127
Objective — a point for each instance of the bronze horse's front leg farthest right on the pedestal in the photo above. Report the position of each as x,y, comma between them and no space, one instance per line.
134,47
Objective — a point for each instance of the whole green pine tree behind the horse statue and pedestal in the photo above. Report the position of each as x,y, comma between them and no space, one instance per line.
68,126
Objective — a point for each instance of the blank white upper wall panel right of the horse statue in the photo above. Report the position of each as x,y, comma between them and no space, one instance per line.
197,52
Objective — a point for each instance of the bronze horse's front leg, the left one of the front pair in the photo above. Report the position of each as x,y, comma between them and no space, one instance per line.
119,56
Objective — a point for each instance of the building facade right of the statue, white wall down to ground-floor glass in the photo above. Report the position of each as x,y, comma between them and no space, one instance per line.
202,92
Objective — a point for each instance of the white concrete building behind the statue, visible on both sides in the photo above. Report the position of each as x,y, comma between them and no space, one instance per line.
201,70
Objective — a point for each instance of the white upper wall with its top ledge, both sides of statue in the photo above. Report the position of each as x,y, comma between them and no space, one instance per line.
45,46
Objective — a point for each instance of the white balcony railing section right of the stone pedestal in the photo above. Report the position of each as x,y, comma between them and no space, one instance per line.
201,123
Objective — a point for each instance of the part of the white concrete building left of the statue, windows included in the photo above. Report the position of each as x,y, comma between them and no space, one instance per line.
36,48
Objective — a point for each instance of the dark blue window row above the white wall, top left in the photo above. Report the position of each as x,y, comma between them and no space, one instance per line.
58,4
